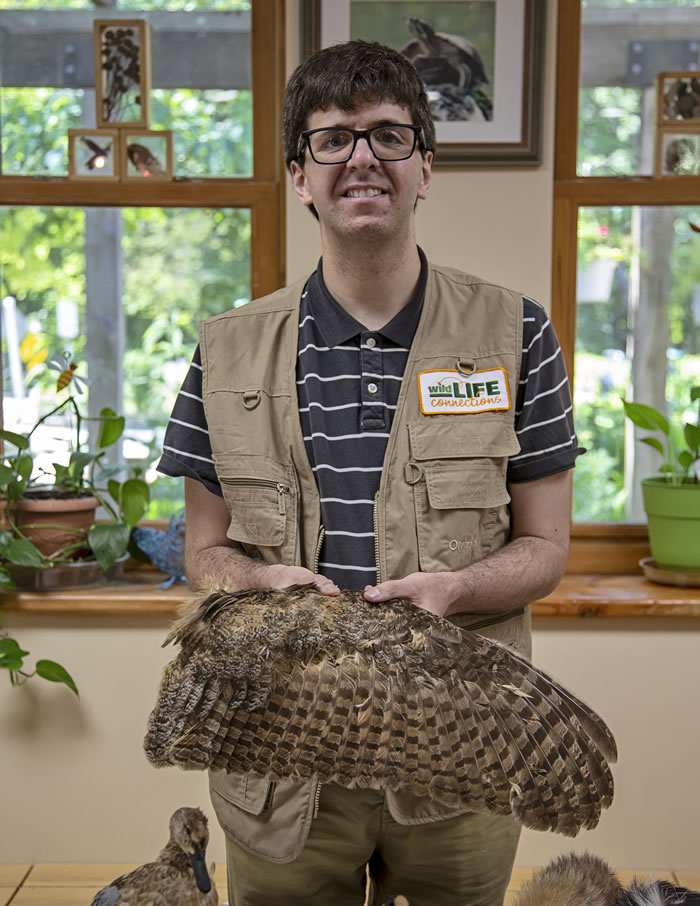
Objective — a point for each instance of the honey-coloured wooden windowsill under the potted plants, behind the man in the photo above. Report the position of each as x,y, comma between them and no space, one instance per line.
578,595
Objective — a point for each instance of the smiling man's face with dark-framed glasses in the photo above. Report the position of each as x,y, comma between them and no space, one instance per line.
363,195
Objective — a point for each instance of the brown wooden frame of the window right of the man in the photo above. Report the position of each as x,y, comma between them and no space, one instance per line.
596,547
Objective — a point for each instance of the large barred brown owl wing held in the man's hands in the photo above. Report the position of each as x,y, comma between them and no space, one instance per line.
292,684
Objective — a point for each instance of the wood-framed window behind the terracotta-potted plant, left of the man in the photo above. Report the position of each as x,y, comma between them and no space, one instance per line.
118,273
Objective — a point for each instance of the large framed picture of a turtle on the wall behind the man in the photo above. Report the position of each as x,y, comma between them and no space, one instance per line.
481,62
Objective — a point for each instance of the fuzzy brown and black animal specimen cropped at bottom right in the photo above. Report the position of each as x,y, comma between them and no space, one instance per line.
586,880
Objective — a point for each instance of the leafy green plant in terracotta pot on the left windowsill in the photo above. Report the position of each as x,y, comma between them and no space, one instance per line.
38,504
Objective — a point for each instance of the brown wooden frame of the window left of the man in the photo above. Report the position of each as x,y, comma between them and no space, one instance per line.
262,194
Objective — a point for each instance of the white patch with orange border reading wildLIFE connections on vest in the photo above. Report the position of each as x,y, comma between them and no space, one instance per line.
455,393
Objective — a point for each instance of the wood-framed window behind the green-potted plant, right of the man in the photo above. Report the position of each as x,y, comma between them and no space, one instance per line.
626,277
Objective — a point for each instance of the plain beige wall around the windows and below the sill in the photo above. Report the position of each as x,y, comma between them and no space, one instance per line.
74,783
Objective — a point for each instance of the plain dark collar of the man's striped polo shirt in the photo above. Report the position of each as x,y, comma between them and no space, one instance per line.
337,326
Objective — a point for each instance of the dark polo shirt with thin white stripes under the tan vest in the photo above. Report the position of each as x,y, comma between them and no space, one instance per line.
348,382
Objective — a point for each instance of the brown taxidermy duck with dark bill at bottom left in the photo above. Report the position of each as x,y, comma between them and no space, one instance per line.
179,875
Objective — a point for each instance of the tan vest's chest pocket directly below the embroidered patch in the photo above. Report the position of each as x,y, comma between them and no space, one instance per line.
459,492
